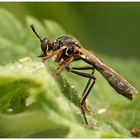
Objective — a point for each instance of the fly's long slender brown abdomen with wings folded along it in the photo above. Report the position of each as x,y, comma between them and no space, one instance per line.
121,85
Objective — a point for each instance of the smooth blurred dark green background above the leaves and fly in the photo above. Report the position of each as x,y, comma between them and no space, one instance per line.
106,28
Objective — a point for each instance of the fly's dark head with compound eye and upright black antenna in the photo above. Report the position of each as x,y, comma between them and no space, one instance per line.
45,45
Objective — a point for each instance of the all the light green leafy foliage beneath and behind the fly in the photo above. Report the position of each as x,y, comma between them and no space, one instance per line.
33,103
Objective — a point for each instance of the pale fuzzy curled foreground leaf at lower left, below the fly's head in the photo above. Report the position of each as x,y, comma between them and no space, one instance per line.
34,103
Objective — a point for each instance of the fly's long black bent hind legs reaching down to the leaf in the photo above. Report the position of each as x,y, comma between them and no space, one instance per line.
87,89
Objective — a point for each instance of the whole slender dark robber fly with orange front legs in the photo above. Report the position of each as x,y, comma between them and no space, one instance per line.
67,50
